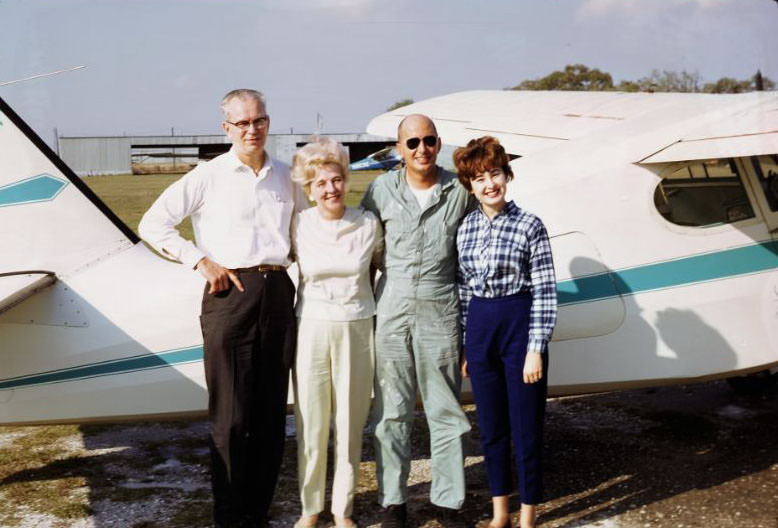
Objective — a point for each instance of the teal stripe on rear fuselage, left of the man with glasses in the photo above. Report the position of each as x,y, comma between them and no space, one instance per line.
108,368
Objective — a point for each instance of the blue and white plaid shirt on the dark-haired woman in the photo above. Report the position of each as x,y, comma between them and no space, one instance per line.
507,255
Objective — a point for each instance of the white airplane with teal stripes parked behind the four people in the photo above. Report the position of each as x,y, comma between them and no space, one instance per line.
662,208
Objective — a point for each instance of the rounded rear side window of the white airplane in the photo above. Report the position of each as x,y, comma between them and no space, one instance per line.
703,194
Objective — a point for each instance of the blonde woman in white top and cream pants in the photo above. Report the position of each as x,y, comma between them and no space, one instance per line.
334,246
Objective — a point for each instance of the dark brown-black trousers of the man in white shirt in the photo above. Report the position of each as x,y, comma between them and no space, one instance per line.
249,342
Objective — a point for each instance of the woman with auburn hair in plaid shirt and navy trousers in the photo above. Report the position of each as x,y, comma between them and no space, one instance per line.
507,293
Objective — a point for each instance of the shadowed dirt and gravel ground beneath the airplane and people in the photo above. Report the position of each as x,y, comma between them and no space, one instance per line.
684,456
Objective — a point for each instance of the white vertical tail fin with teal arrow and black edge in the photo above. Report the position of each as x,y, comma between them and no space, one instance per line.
51,223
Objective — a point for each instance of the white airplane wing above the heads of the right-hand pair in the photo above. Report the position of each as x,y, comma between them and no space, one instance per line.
526,122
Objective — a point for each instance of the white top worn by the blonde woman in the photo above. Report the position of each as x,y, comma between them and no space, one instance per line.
334,257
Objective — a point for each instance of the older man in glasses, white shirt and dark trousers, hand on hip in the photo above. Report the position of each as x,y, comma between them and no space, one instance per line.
241,204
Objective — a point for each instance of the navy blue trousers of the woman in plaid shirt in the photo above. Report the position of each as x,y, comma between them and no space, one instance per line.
496,346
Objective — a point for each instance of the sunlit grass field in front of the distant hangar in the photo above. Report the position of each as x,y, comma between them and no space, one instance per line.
129,196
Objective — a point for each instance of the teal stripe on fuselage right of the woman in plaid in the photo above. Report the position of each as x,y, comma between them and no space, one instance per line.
699,268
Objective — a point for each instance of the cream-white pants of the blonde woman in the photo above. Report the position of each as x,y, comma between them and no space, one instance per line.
333,378
